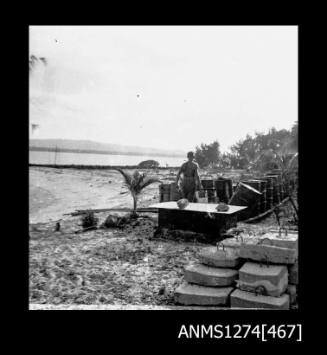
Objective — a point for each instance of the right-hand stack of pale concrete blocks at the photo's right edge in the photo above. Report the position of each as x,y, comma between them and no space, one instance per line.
269,275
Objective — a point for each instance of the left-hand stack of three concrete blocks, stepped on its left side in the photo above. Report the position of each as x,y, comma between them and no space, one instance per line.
210,281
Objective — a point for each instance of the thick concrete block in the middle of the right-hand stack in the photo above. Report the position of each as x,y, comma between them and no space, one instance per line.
269,280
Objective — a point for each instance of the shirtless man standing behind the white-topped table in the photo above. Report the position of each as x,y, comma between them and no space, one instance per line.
191,180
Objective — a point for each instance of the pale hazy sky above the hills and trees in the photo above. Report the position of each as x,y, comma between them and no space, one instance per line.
165,87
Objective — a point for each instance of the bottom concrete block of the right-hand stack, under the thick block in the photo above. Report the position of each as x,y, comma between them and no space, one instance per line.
243,299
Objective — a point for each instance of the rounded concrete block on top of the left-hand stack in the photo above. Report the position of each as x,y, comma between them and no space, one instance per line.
227,258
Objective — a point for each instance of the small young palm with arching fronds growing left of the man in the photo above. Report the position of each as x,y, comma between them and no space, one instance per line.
135,183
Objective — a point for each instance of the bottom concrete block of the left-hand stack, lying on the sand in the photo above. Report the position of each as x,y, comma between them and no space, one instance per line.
188,294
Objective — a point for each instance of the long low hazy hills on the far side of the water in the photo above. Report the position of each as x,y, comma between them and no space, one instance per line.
105,152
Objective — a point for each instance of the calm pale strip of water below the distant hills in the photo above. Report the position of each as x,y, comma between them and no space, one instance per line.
37,157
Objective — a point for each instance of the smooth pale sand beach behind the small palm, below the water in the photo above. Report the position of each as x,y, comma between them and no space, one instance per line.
56,192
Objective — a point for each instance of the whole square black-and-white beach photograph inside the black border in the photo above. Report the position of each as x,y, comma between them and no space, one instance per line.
163,167
